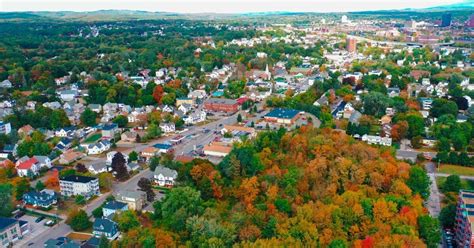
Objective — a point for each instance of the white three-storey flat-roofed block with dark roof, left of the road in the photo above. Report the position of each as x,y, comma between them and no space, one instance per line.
79,185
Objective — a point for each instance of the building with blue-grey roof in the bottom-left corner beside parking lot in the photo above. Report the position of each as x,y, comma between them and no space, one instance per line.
12,230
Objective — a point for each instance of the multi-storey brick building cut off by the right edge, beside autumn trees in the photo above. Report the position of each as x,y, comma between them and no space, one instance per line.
464,219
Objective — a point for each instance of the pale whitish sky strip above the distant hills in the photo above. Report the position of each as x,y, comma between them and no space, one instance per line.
219,6
